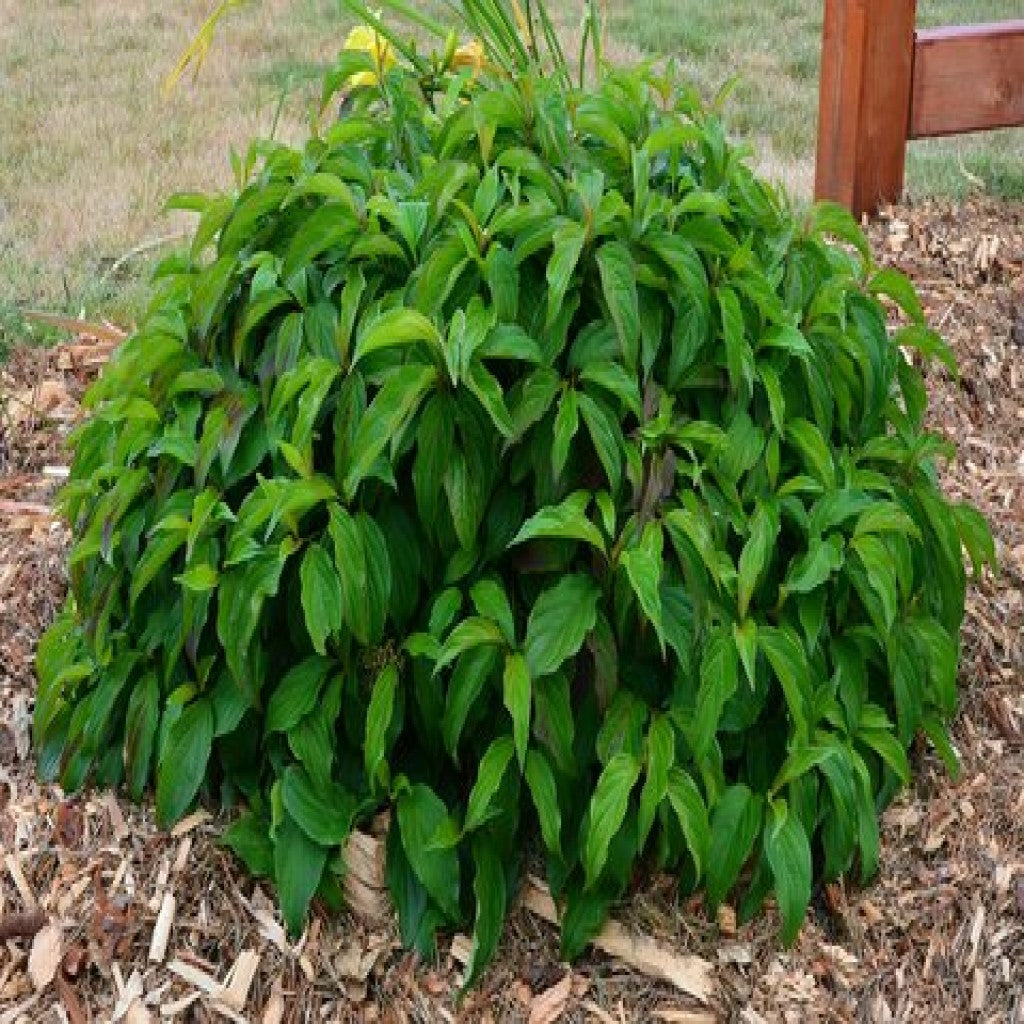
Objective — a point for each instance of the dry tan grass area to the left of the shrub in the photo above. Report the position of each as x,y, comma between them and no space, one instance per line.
93,148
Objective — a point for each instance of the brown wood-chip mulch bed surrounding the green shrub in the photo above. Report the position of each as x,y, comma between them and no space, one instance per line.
103,917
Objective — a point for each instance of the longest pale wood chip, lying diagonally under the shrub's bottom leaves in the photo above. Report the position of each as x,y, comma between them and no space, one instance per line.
690,974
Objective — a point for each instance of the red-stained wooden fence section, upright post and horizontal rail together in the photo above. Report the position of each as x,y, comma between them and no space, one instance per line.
885,82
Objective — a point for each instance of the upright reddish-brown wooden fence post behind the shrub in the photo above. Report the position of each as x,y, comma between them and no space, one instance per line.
865,108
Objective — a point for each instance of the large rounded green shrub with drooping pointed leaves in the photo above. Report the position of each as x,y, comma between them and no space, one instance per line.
511,457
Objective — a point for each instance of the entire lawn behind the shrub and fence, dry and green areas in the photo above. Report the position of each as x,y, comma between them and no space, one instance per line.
91,148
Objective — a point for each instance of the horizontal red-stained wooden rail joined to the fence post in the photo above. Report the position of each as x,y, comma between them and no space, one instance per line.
968,78
